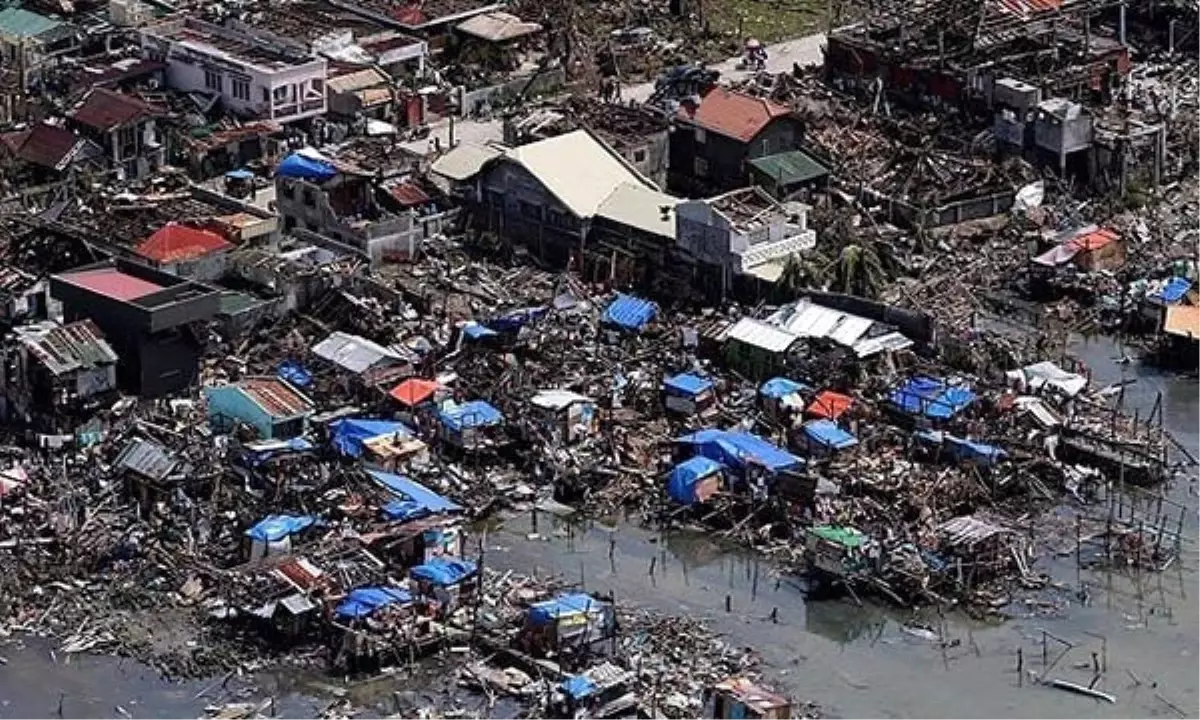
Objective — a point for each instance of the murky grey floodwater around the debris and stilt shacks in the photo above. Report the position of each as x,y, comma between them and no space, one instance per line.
857,663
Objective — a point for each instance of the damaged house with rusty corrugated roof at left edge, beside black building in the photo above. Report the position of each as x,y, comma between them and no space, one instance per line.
53,374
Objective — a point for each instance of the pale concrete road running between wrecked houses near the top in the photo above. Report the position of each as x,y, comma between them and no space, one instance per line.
781,58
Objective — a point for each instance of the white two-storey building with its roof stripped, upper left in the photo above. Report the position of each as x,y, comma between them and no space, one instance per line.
255,74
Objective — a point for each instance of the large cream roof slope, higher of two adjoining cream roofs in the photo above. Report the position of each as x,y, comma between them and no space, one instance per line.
577,169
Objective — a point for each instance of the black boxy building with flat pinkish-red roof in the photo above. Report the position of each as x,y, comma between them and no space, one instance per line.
153,321
